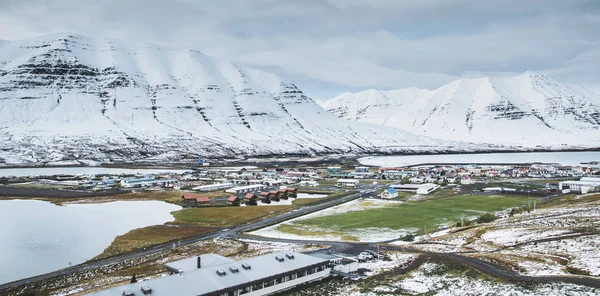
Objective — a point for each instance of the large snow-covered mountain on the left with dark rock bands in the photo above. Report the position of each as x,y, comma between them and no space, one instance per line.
68,96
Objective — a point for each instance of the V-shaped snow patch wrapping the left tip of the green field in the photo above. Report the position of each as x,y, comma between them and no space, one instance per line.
364,235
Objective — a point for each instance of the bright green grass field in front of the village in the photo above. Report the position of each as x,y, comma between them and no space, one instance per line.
427,214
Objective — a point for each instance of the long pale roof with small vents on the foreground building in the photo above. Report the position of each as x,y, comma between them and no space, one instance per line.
206,280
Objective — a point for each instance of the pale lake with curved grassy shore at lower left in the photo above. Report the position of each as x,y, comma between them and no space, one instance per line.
37,237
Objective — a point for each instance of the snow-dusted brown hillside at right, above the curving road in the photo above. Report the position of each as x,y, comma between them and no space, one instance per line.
553,241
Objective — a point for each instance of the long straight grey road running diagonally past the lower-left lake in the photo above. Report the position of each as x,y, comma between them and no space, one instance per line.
207,236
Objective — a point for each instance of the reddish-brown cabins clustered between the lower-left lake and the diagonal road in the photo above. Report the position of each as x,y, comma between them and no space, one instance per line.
249,198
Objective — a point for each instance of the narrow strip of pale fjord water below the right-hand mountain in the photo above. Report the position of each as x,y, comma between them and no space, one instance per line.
564,158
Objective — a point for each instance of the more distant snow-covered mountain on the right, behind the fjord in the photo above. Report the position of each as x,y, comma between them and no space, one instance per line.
531,110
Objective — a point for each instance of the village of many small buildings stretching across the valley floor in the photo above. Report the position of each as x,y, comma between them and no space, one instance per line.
251,186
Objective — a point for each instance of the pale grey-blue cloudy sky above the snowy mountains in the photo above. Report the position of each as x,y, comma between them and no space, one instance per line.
331,46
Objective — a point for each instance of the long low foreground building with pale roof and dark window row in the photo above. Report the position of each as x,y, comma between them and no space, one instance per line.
220,276
